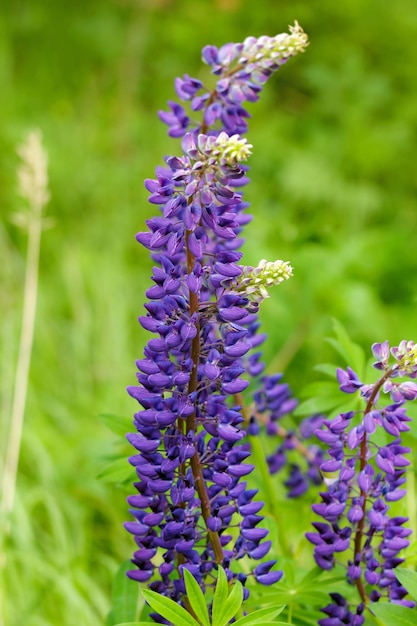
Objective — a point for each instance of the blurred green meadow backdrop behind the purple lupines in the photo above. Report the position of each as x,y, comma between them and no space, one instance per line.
333,191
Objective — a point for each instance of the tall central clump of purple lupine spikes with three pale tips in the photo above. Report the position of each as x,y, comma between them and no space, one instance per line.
202,311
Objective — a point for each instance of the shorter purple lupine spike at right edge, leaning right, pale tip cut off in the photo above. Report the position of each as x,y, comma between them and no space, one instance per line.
367,475
